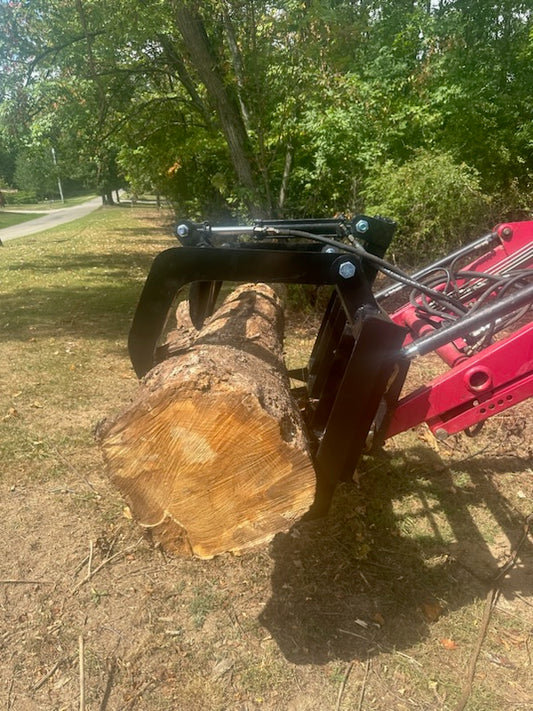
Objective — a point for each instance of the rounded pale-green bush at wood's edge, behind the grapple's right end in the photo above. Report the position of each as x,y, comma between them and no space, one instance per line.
436,202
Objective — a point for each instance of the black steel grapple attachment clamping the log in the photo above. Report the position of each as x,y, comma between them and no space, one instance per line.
356,356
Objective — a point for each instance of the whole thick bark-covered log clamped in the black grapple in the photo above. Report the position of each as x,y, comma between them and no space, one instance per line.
211,455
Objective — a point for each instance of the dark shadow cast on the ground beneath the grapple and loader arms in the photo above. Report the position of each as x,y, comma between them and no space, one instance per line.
356,584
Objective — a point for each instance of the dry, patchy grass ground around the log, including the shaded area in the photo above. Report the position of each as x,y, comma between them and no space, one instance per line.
377,607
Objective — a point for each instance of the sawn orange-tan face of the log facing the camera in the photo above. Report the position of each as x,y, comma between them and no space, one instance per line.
221,471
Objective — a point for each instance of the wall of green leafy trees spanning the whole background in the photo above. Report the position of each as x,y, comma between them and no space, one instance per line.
279,108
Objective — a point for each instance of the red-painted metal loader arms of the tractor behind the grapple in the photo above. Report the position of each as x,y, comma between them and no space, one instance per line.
487,382
